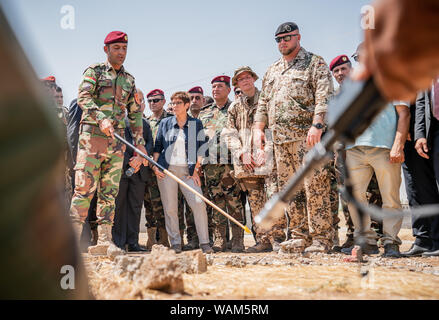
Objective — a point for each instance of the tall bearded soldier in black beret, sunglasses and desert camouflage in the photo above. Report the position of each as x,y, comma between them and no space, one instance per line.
293,104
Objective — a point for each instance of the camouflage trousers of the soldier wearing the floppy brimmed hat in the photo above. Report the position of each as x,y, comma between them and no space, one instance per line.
256,199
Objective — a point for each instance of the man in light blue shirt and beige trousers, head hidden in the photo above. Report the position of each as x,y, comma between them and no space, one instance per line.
380,149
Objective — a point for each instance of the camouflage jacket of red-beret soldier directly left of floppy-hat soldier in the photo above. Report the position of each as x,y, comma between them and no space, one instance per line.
214,121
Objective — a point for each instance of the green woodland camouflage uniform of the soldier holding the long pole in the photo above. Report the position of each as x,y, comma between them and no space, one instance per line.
103,94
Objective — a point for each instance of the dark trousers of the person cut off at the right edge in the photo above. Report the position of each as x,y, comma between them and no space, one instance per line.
421,176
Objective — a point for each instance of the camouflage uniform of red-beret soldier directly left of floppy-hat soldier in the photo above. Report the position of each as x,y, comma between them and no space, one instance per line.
222,187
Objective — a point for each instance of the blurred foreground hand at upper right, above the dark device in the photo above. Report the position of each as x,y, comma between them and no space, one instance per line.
402,49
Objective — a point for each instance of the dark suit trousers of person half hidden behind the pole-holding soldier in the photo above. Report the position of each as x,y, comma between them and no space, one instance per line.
129,203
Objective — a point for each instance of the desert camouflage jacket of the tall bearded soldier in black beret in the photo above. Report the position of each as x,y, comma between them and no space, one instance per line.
292,93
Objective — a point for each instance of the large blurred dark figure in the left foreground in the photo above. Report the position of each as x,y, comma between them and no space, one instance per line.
40,259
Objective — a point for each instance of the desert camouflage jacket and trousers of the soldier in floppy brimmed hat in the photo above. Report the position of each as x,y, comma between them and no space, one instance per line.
239,140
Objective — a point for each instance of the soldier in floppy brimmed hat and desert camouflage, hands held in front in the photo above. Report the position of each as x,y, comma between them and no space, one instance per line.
248,168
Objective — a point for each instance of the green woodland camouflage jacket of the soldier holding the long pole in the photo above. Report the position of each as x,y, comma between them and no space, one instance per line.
107,94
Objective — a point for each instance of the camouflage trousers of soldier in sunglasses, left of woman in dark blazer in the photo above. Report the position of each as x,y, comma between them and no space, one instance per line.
154,214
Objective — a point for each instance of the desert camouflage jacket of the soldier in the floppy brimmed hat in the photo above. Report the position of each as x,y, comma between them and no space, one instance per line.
239,135
